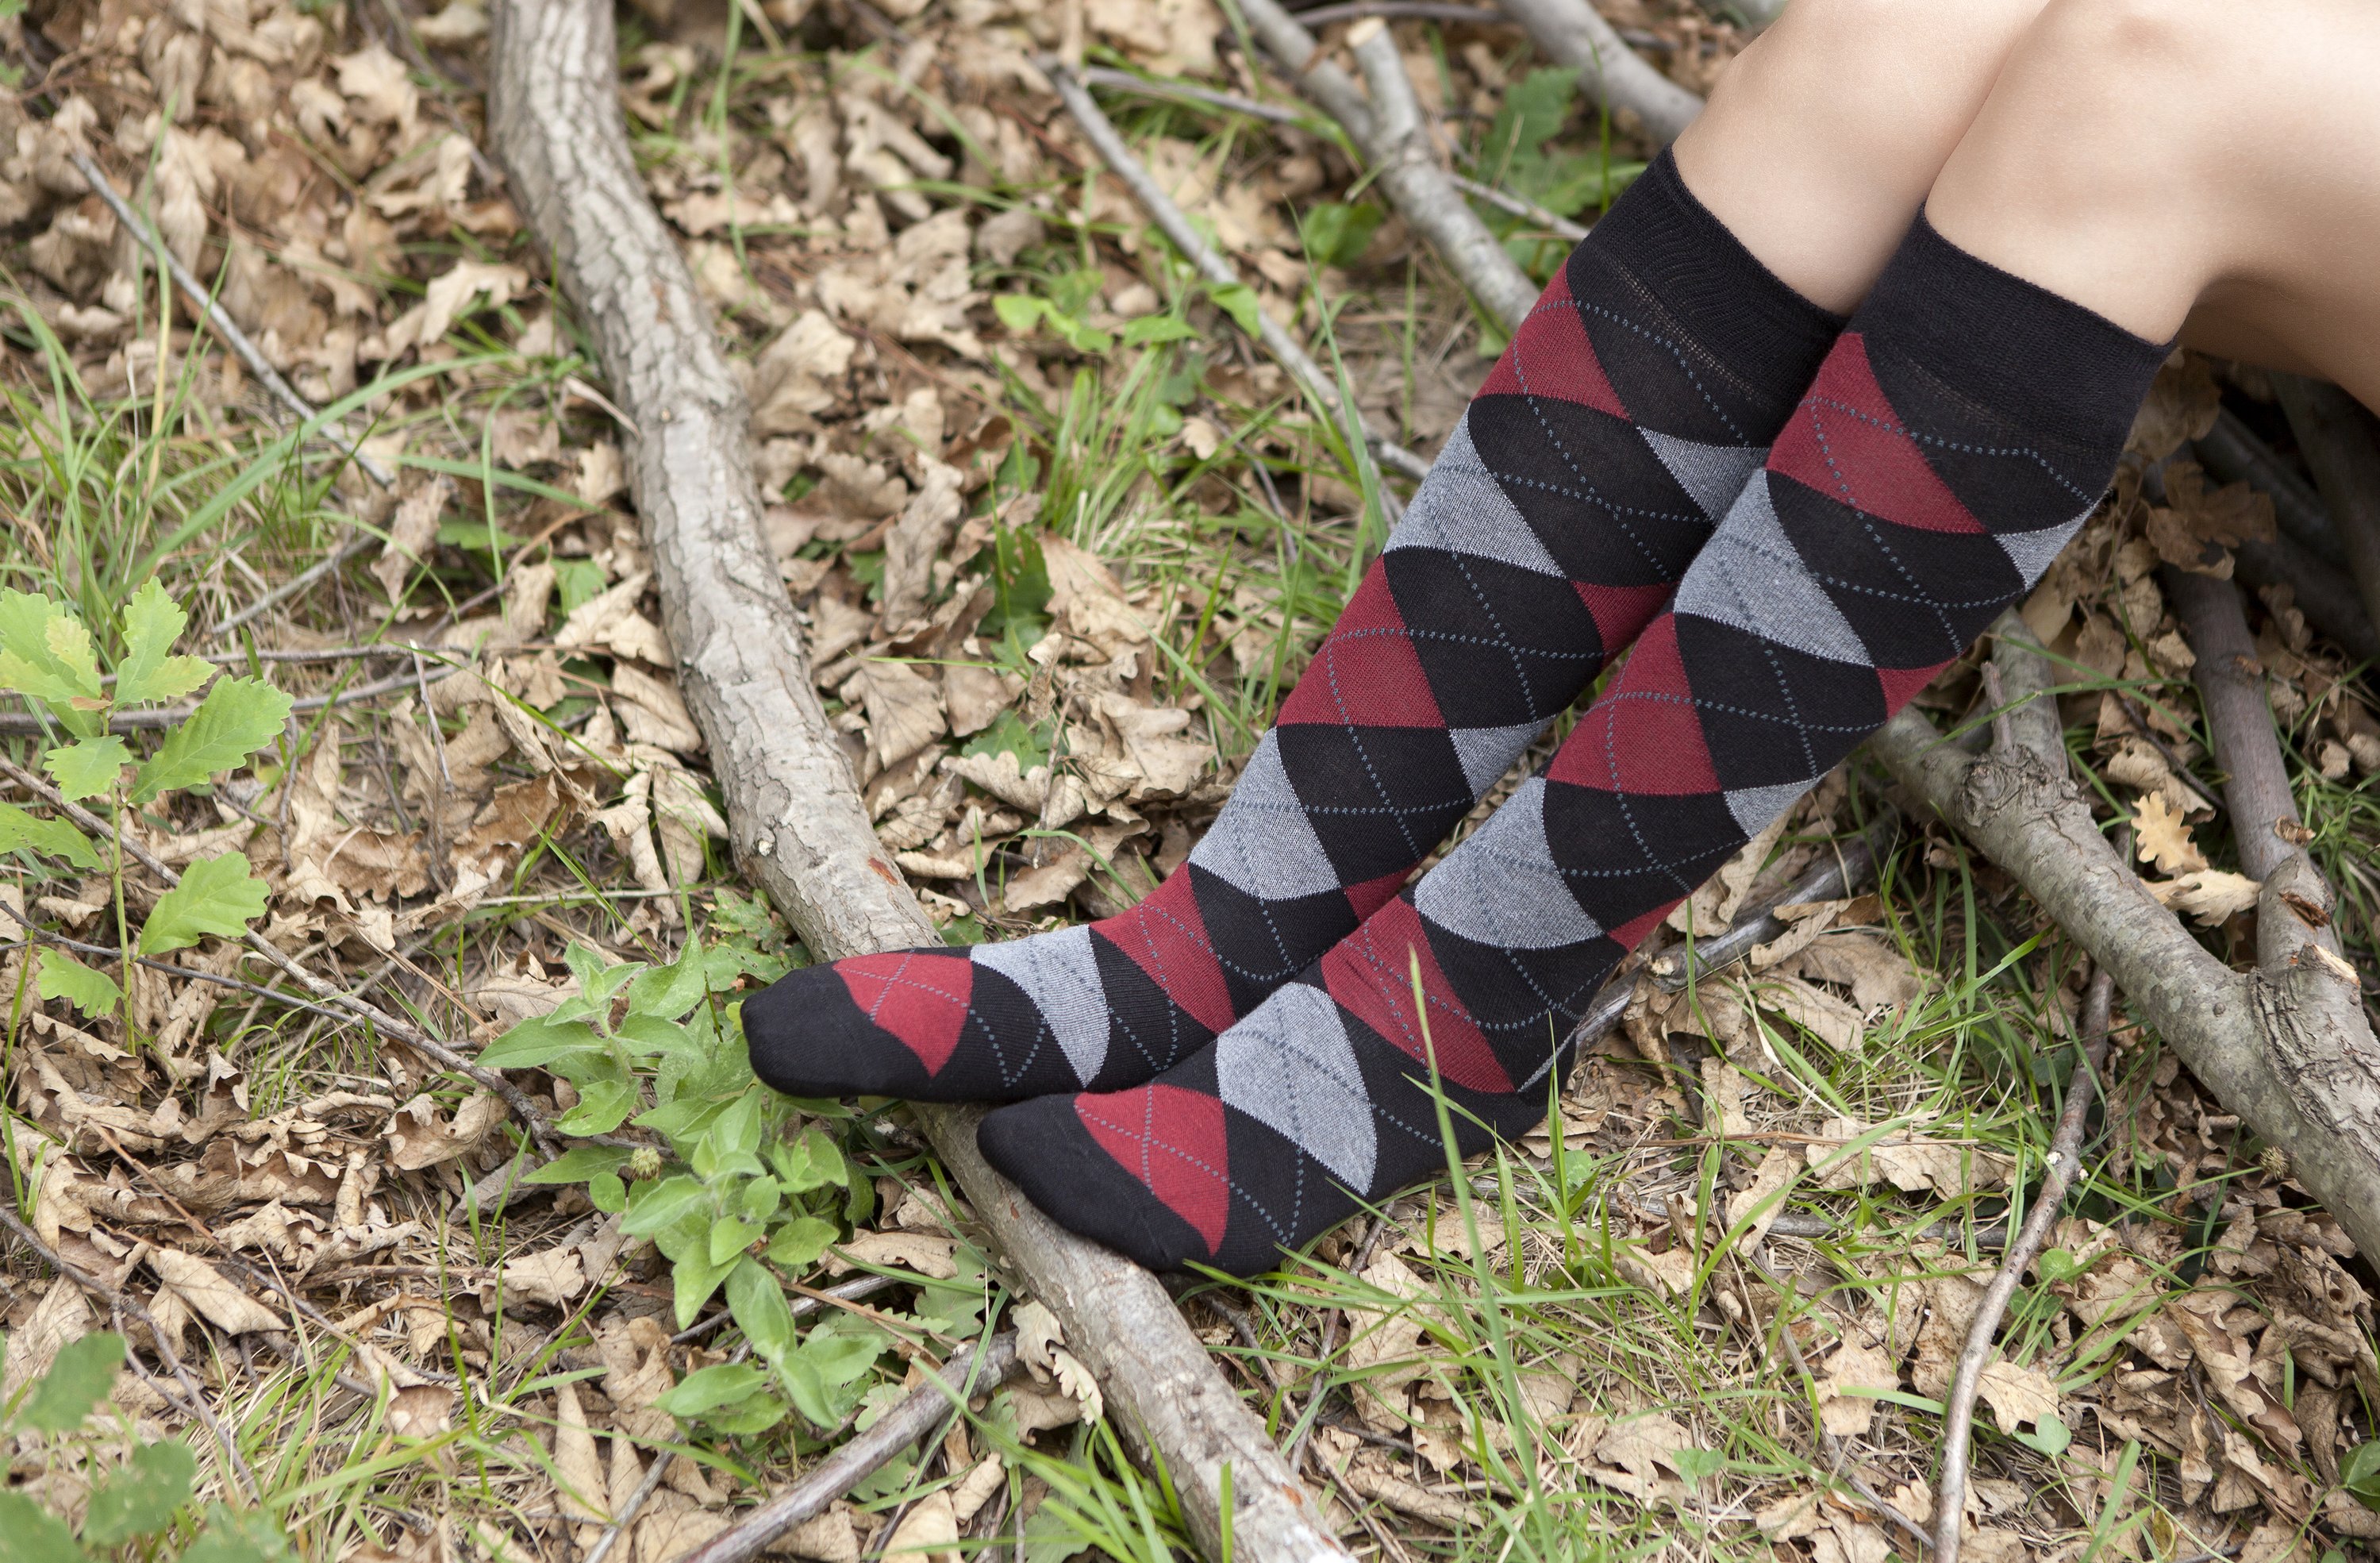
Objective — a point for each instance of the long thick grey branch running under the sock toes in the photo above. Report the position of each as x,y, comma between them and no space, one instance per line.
794,812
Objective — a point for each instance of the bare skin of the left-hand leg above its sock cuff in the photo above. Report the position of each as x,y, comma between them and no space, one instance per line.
1827,134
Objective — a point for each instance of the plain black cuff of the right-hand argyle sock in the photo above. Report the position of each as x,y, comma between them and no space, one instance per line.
2024,351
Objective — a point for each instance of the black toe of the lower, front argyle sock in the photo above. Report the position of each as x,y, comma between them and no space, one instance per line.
1075,1181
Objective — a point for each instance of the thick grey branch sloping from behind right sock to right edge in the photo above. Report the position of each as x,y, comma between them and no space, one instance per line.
2286,1046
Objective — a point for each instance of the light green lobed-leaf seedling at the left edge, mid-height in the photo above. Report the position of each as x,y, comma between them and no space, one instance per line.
51,658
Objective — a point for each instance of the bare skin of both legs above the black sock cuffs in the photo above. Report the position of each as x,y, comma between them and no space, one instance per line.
2179,165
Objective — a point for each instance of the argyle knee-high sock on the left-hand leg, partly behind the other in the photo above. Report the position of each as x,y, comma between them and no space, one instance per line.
1610,439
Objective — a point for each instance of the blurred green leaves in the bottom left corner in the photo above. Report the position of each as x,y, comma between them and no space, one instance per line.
132,1502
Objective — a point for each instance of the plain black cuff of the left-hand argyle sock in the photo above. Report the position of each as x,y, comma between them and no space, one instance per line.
1705,277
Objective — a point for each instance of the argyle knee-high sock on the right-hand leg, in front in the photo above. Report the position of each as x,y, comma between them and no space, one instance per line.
1960,432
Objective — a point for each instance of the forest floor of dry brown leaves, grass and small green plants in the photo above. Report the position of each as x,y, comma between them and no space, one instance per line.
1712,1312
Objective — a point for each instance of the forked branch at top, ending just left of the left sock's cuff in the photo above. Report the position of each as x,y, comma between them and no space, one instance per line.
1391,137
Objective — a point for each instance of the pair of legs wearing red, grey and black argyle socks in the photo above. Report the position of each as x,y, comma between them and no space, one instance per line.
1836,503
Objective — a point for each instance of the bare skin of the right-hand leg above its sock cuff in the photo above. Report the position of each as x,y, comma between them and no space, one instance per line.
2188,168
